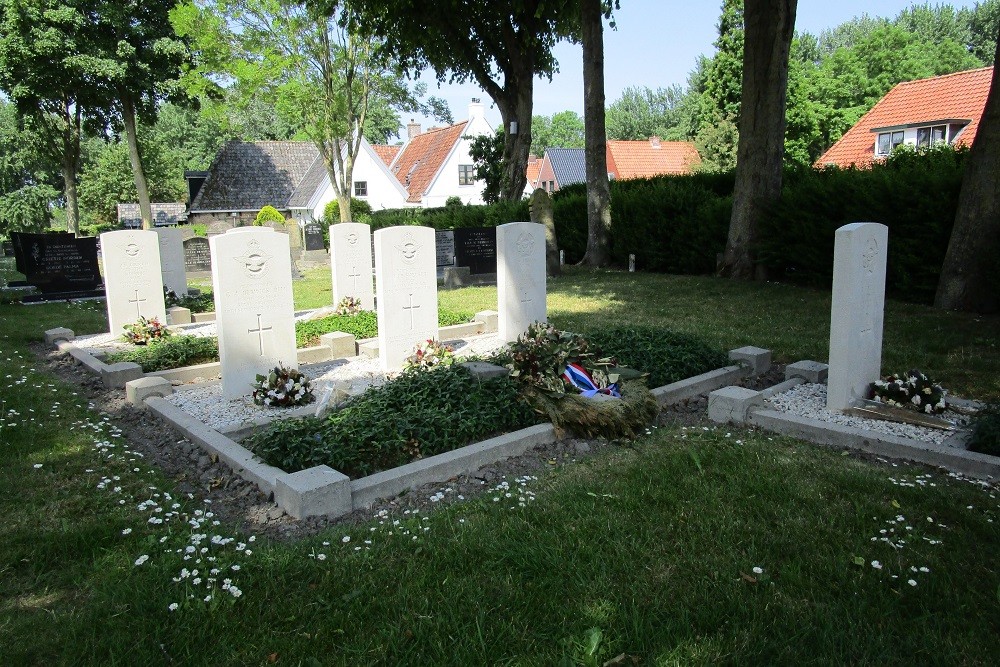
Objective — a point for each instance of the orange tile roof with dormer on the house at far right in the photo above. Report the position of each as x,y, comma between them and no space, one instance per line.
950,97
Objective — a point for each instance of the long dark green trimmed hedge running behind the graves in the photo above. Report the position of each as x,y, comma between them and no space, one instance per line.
679,224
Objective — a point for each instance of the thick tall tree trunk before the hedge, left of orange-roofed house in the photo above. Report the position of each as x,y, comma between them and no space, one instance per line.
768,25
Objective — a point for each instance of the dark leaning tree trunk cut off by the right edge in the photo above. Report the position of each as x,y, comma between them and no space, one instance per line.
969,275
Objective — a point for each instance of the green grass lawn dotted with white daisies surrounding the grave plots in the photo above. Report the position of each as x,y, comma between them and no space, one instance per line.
647,550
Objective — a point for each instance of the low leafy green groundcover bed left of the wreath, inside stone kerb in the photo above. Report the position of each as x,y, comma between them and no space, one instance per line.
419,413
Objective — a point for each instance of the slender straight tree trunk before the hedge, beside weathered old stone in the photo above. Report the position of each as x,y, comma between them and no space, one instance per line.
595,135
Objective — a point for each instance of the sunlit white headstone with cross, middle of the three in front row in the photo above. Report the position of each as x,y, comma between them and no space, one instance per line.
406,284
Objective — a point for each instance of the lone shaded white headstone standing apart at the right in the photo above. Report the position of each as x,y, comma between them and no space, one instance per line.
856,312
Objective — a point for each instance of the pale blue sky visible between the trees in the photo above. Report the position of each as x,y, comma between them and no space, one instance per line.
656,45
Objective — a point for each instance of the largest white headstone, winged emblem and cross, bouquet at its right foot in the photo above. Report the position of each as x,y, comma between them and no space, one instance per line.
252,281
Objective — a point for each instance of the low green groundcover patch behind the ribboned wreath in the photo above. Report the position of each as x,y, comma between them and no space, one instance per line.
667,356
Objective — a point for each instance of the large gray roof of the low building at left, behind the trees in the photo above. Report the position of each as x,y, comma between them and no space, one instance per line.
246,176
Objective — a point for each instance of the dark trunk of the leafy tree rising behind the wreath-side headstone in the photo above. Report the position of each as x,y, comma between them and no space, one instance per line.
516,106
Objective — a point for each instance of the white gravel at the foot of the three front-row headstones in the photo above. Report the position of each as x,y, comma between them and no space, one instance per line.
205,403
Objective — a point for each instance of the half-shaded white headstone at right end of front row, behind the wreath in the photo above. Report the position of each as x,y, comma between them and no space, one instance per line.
520,277
